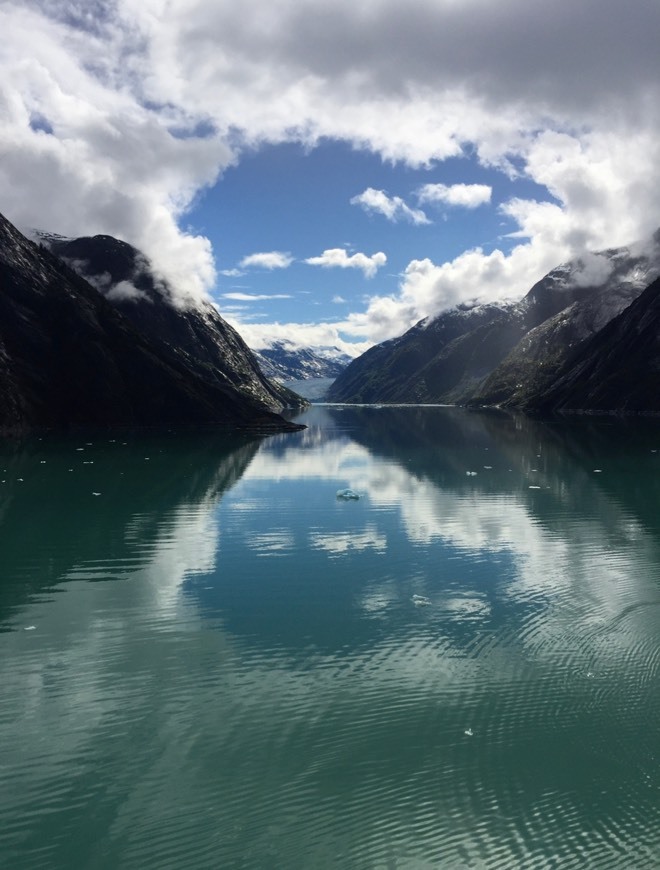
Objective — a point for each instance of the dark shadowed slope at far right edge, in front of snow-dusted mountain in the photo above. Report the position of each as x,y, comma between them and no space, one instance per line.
618,369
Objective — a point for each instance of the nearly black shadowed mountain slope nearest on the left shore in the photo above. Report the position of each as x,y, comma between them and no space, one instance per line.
68,357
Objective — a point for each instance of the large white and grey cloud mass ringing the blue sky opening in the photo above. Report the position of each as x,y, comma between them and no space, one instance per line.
124,117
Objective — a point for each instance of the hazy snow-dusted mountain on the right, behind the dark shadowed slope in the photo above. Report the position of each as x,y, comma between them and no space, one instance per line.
502,353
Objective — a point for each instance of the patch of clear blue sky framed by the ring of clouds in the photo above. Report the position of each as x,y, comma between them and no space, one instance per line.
298,202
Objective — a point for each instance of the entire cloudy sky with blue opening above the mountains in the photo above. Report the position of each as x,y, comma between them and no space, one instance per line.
330,173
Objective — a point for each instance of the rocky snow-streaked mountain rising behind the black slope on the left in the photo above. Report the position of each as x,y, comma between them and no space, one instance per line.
195,334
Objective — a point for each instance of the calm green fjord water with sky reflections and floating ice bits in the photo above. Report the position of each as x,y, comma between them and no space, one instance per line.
207,660
